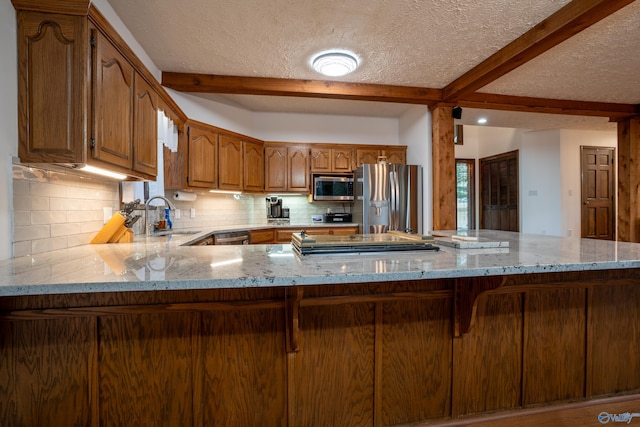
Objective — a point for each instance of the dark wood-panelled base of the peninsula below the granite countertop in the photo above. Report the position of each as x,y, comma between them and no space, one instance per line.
362,354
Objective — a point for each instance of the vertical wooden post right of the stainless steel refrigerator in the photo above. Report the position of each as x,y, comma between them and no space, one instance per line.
444,168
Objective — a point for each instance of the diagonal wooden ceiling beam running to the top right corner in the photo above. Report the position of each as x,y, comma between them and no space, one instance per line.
565,23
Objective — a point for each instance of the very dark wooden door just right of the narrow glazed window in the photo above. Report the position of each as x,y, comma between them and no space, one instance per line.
499,192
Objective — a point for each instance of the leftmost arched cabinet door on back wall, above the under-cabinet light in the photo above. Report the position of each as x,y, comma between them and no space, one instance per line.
202,158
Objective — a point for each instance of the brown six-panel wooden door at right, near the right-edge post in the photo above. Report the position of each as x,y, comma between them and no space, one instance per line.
598,189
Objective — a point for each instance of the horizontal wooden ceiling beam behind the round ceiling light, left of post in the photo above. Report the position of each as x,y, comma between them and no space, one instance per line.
208,83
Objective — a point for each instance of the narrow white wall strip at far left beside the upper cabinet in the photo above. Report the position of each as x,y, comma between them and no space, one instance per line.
8,121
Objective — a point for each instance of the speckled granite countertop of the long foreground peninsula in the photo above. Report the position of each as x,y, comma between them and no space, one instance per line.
161,263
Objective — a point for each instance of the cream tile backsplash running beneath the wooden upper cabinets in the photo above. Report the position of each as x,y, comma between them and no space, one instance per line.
55,210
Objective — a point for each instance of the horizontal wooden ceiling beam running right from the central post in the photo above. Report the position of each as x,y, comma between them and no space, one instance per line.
549,106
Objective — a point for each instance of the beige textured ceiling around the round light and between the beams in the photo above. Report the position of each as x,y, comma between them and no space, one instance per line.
426,43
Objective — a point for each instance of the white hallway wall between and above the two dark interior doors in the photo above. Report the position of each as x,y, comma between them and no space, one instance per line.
550,182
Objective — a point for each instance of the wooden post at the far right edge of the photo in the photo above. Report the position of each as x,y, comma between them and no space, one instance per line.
628,227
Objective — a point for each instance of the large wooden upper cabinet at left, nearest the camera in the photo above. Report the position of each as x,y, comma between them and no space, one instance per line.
79,100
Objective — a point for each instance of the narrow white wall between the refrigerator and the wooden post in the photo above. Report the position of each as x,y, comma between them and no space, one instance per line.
415,133
